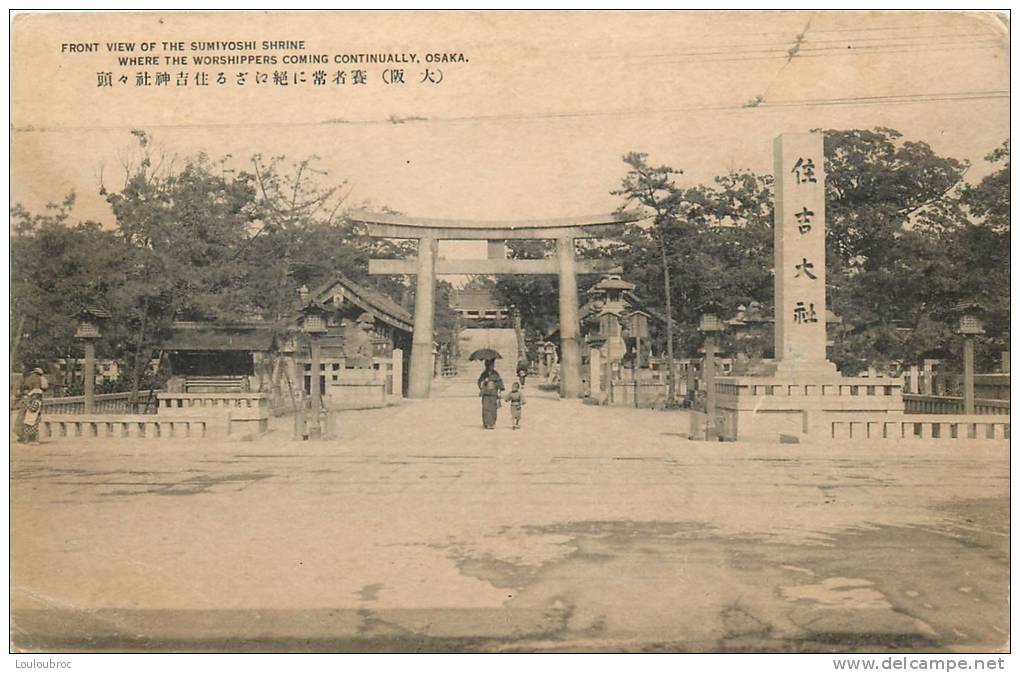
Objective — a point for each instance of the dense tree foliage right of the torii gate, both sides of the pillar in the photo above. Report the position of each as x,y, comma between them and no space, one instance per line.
908,240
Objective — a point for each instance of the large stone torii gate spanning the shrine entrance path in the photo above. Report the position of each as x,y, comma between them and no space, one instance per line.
430,232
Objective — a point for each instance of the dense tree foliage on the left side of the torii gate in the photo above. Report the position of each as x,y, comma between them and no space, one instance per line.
199,241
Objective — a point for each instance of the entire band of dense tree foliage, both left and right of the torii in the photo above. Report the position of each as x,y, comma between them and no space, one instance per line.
909,239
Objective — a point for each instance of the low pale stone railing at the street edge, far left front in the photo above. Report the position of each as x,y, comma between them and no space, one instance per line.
137,427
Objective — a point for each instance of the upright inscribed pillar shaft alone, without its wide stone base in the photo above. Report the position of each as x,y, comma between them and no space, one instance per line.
800,254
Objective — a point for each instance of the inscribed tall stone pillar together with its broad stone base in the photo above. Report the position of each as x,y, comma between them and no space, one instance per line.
814,390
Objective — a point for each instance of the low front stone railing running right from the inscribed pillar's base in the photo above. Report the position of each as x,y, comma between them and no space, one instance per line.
936,427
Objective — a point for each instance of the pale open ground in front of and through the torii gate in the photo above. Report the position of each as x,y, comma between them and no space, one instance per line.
591,529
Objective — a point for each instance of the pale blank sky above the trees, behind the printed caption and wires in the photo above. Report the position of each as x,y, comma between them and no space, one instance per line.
535,125
